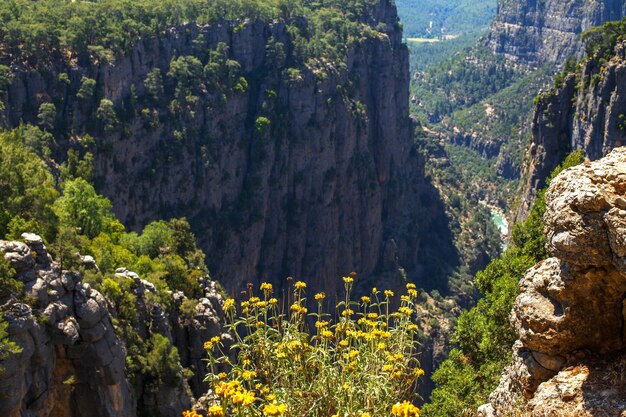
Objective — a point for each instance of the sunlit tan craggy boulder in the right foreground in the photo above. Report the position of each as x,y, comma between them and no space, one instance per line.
571,311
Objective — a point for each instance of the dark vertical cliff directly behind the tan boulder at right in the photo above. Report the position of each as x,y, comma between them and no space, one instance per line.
568,118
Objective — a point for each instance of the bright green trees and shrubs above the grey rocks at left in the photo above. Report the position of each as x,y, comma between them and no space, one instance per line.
60,204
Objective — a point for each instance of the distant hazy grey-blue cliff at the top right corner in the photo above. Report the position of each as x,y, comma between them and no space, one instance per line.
533,33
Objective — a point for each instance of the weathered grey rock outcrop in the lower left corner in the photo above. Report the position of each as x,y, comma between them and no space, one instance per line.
73,356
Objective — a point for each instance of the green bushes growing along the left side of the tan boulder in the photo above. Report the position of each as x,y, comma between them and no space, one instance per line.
483,335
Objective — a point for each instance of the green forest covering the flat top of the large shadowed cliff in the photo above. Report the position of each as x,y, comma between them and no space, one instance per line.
44,31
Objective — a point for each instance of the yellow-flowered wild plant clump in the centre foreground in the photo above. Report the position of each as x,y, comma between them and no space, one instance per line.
363,350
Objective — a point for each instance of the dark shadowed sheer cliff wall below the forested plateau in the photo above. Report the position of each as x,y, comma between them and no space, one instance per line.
296,172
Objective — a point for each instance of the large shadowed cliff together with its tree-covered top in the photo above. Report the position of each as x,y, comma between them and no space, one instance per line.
263,123
